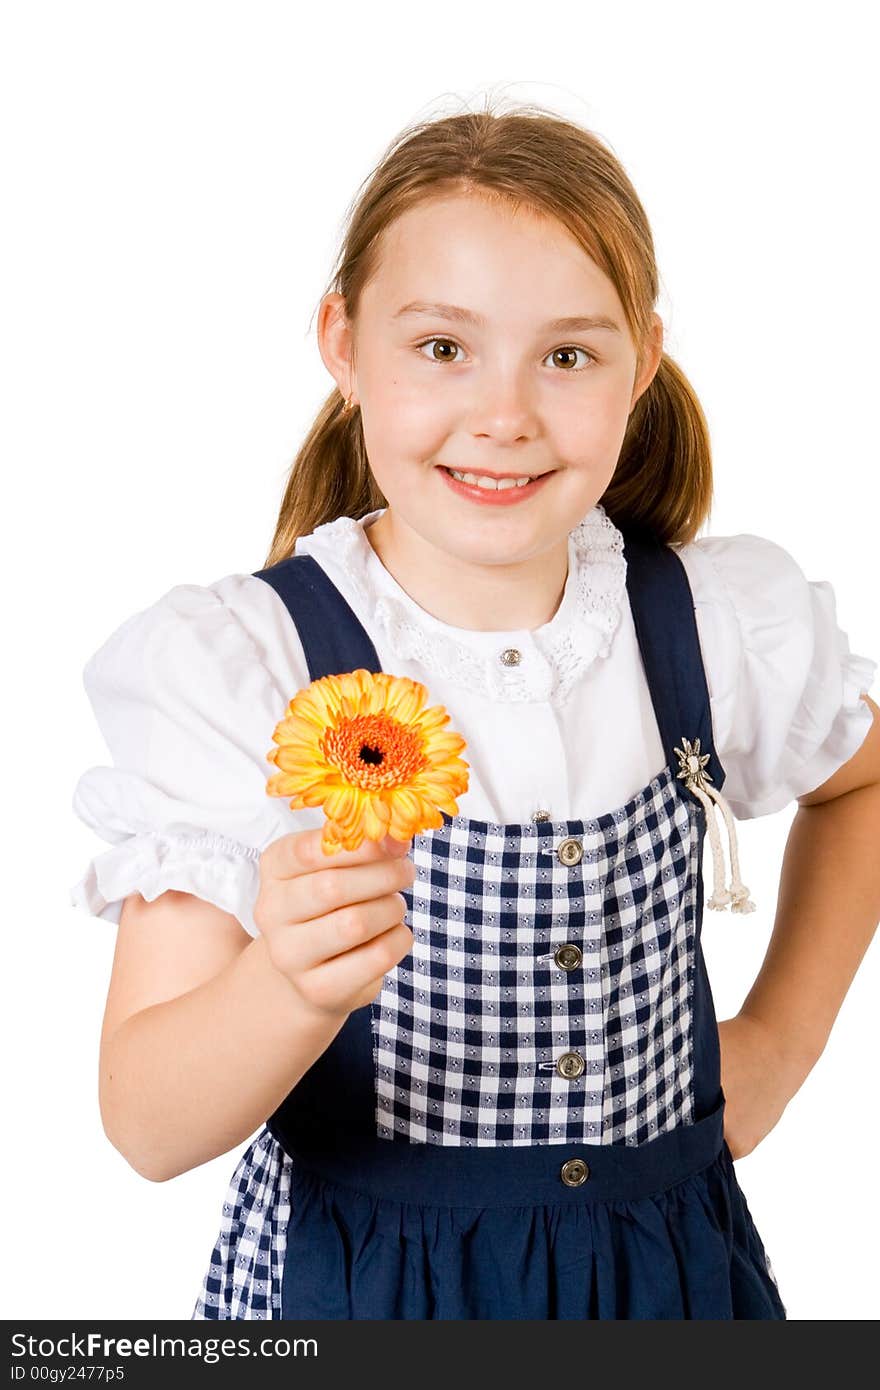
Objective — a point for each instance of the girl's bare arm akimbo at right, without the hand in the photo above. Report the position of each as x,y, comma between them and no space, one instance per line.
828,913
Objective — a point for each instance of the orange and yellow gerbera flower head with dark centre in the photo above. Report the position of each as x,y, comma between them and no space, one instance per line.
364,747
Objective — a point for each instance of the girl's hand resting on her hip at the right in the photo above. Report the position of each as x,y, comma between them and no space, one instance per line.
758,1081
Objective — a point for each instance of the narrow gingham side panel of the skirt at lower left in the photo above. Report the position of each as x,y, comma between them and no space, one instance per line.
244,1277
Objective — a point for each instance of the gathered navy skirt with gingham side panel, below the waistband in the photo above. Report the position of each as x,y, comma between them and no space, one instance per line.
294,1243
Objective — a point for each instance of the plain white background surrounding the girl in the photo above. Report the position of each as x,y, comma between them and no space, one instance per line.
176,177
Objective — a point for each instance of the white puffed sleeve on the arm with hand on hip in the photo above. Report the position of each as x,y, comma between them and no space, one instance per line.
783,685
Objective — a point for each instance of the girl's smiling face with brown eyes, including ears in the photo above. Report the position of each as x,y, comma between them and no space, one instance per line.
462,359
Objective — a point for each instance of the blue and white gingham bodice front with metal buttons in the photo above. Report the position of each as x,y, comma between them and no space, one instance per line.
469,1028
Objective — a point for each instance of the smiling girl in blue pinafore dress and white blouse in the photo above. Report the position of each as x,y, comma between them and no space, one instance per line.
484,1065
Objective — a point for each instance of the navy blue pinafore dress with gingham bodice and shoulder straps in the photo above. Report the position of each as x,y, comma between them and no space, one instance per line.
529,1121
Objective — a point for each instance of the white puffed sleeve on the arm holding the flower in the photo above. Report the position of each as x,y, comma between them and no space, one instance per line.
187,694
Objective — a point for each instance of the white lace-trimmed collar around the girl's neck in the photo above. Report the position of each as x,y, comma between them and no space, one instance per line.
551,658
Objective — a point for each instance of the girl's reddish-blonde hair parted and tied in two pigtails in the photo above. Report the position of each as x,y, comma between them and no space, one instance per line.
547,163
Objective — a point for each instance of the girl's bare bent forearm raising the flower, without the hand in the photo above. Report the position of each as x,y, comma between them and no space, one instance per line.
191,1077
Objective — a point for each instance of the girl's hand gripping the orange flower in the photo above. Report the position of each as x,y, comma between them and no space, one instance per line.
334,926
